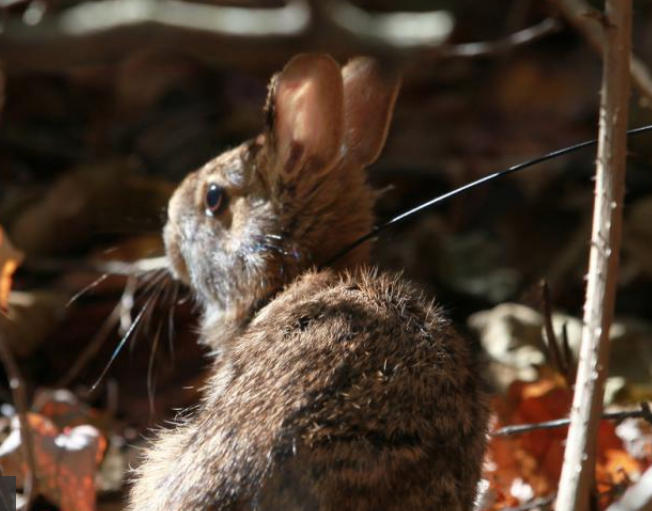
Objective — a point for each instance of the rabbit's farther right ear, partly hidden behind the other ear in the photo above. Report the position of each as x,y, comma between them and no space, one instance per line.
369,97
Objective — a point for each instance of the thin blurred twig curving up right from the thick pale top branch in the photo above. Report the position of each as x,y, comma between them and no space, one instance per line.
490,48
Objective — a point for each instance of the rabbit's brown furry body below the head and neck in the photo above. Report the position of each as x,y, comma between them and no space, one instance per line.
344,393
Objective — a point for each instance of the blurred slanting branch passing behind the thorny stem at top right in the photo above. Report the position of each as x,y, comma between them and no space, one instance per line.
579,14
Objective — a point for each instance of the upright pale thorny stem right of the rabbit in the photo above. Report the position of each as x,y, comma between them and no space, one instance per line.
579,457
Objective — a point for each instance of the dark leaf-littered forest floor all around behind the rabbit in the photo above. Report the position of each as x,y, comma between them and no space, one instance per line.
89,157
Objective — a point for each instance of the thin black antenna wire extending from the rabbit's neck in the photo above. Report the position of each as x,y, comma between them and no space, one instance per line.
490,177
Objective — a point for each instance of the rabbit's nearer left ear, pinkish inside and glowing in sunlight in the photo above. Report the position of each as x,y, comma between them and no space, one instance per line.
305,115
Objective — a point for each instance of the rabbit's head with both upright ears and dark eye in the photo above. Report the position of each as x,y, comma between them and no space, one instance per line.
255,217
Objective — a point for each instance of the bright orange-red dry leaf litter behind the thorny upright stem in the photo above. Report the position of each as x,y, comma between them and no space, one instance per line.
526,466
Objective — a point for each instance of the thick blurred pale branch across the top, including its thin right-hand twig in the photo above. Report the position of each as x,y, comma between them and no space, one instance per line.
106,31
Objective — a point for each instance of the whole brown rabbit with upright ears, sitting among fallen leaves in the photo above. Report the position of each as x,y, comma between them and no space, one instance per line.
334,389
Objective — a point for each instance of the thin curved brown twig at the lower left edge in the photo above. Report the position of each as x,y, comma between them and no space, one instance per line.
17,384
